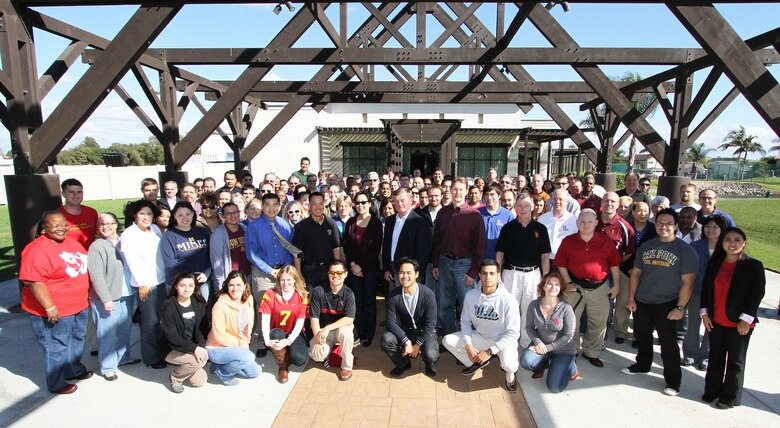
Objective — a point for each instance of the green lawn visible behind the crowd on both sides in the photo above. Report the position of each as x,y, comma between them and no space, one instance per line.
757,217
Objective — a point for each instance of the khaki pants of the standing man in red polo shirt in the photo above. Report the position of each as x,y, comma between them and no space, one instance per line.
597,303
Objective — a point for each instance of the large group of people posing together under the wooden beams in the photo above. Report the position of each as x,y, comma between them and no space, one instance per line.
528,270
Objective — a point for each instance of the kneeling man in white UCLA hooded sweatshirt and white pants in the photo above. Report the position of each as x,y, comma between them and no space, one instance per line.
490,325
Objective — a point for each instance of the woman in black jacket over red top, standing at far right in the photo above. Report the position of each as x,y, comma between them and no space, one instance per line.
732,290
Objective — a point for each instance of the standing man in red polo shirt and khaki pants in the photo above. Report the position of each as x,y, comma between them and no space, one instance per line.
586,260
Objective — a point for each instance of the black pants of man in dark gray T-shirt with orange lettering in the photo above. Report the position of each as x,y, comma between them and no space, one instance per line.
649,317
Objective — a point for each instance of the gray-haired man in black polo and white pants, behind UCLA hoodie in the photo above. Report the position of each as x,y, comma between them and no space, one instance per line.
523,251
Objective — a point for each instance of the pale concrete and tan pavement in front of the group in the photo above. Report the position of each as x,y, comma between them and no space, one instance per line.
316,398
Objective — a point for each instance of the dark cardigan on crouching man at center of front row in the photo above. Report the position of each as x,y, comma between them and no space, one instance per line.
399,322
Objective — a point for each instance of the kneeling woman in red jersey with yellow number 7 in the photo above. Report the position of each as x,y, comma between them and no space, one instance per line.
282,312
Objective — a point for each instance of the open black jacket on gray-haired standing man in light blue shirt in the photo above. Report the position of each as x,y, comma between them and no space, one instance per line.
414,241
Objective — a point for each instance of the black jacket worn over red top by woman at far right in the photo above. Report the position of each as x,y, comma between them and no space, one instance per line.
745,292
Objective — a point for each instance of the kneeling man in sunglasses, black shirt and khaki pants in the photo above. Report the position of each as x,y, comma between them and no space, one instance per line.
332,312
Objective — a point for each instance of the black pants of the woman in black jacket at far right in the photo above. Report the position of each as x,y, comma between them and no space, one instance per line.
728,350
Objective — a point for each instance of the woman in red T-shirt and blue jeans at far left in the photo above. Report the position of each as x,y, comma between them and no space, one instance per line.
56,283
